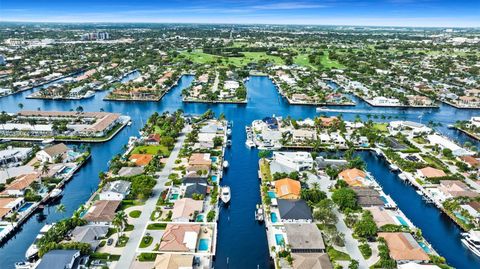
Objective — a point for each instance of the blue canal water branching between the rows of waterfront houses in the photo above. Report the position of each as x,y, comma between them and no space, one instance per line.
241,241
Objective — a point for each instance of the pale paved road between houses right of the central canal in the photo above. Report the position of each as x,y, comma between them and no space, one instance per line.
351,244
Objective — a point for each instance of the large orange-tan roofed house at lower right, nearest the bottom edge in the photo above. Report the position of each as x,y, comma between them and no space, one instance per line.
404,248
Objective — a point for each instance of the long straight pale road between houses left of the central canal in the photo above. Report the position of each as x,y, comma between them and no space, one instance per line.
129,252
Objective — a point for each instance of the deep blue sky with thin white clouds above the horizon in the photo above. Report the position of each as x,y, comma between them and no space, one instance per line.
428,13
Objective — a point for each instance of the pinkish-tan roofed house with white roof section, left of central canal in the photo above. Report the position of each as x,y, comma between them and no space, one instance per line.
180,238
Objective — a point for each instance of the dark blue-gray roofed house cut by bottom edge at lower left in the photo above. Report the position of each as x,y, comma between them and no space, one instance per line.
61,259
